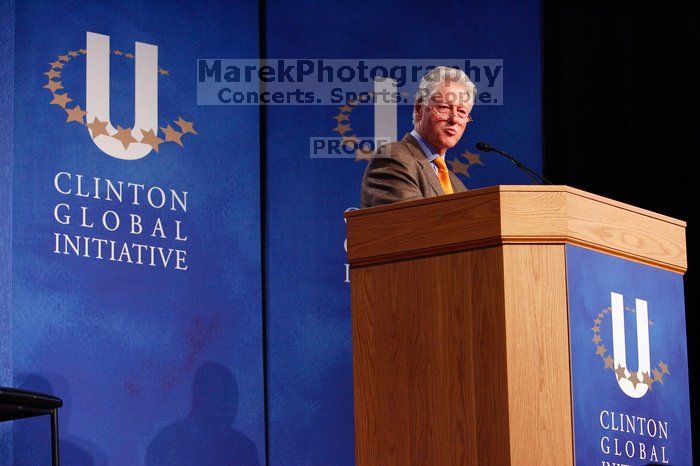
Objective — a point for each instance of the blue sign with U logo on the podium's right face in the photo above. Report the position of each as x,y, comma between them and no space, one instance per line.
629,366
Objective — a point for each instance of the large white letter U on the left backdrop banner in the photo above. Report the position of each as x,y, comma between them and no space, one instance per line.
145,95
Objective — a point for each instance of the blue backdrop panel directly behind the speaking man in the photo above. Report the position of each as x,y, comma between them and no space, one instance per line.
308,190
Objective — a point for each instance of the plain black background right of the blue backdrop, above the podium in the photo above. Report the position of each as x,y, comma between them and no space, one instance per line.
620,118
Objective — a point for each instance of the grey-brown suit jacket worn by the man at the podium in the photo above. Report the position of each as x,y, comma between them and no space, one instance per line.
400,171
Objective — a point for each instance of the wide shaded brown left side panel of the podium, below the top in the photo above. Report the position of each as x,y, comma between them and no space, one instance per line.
429,361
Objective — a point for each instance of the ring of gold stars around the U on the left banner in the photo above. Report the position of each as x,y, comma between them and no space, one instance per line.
99,128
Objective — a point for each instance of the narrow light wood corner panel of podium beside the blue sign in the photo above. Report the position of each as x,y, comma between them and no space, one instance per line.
536,338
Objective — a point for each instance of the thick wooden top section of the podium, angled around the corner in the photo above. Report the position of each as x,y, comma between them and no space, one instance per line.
515,215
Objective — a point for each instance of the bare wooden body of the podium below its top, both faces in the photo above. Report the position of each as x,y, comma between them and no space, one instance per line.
460,363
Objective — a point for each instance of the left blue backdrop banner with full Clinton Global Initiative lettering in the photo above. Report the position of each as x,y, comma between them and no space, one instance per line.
136,219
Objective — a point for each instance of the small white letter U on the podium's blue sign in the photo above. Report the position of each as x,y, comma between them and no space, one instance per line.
619,350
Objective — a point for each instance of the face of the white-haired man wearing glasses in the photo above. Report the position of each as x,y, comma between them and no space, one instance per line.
444,131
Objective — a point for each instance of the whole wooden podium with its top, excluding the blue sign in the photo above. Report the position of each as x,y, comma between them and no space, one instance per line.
460,325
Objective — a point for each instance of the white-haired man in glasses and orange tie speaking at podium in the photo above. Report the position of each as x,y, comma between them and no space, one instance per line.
414,168
